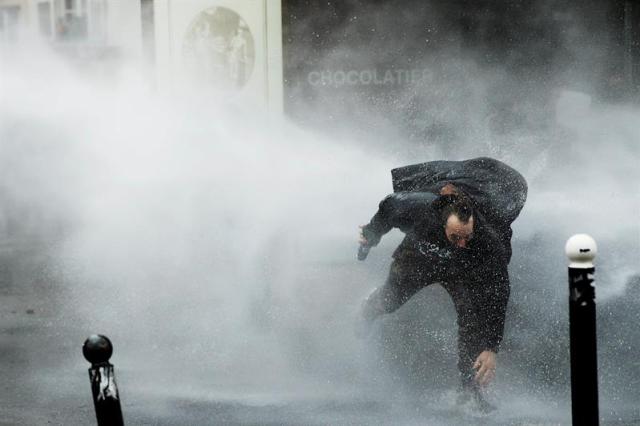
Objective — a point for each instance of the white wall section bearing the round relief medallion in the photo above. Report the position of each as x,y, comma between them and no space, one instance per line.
190,52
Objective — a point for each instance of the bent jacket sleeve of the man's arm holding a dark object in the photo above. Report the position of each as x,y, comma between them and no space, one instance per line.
399,210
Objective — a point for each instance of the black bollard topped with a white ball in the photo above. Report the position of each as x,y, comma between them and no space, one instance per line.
581,250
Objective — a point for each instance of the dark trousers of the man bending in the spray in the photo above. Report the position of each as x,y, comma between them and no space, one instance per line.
407,278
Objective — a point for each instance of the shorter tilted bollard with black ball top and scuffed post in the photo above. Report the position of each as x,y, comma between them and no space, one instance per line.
97,349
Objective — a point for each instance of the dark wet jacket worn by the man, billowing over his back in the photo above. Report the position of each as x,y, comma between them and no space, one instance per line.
497,192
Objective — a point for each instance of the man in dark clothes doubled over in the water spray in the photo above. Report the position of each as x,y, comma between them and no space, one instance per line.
456,217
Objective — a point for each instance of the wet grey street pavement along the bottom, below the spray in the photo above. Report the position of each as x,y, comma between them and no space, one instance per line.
45,378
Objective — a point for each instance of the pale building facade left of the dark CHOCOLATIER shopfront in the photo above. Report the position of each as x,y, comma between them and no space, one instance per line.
204,46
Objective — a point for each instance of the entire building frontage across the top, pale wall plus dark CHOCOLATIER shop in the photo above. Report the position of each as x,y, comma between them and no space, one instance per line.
412,64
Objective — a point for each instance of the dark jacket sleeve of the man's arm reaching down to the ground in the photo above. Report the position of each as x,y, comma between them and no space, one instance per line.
493,301
